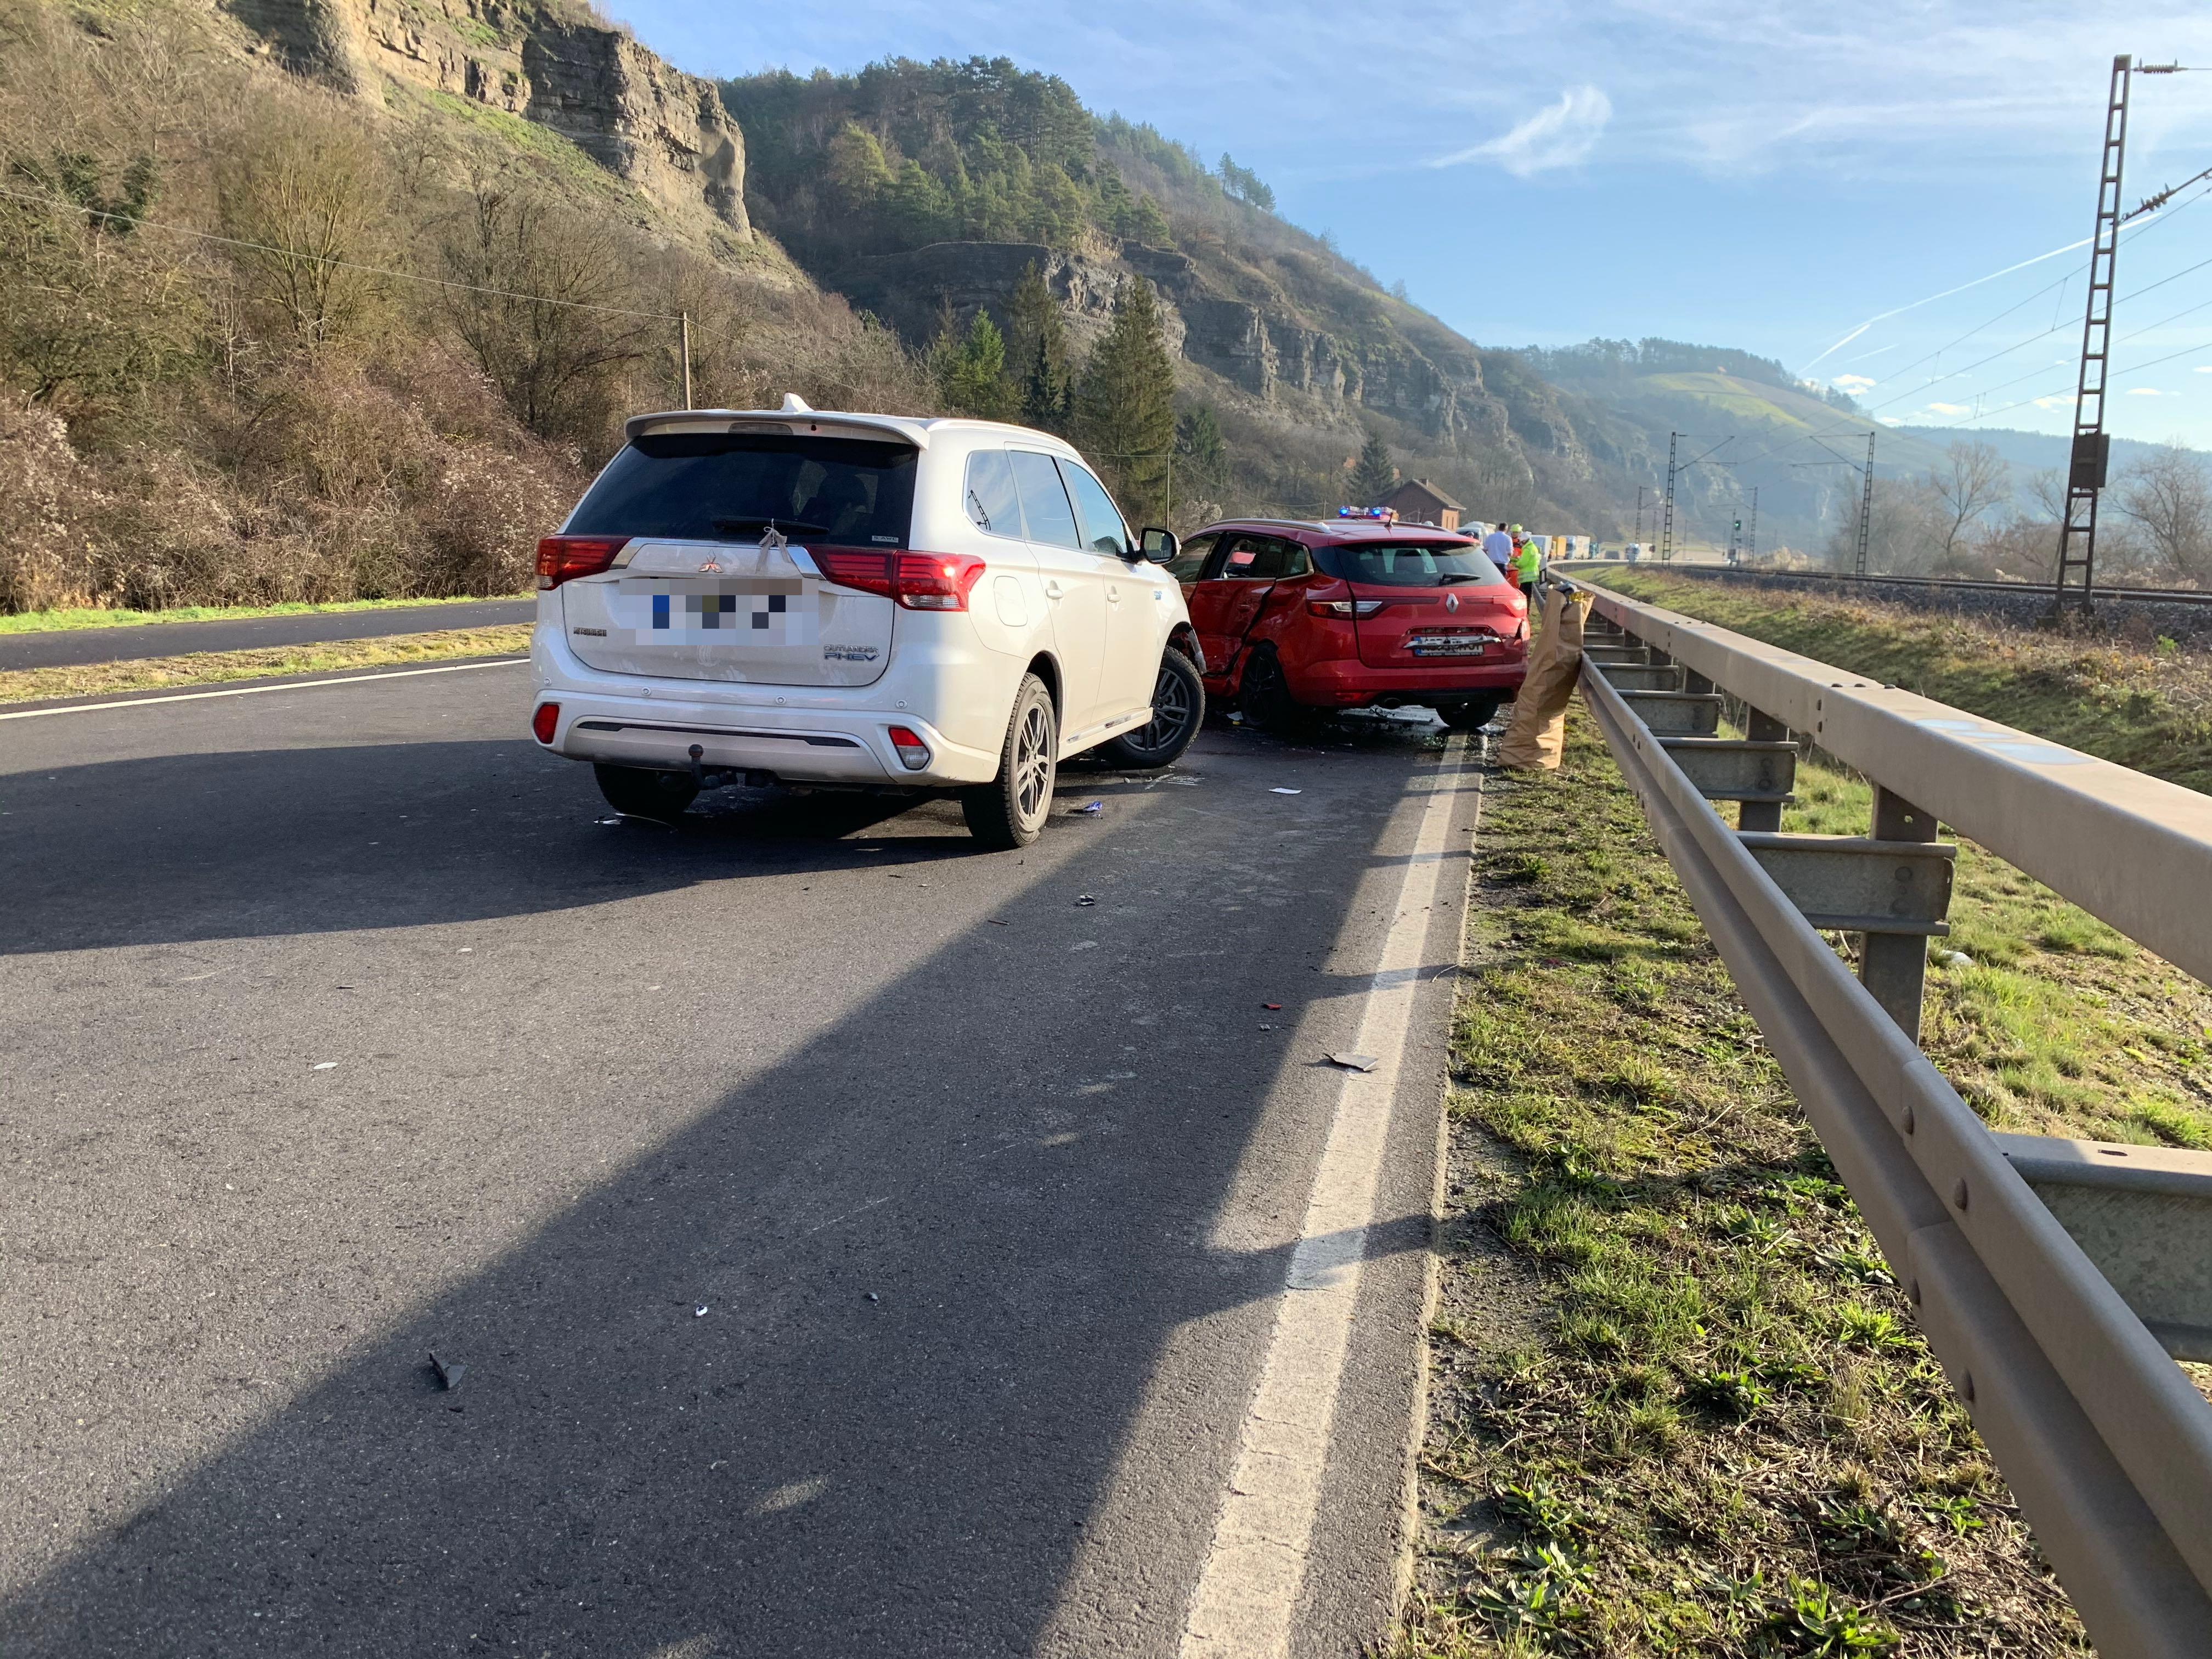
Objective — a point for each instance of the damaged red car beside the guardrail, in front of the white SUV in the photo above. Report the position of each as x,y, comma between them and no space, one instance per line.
1302,618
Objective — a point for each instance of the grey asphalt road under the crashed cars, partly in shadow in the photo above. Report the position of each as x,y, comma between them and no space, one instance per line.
855,1242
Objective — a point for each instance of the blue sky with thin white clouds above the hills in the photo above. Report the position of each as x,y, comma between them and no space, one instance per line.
1742,174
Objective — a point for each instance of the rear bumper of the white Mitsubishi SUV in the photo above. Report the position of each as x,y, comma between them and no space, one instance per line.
800,733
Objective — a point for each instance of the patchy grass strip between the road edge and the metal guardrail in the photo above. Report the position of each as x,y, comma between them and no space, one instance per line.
1678,1404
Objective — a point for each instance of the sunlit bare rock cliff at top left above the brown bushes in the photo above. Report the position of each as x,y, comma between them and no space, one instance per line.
649,125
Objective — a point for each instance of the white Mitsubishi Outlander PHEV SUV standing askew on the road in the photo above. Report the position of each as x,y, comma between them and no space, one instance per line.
857,601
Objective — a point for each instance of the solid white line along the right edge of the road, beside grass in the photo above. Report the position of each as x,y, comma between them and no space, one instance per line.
1264,1530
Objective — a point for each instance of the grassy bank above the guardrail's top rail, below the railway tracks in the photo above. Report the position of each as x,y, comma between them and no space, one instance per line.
2142,709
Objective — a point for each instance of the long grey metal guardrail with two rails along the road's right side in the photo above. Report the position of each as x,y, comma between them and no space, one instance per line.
2105,1441
